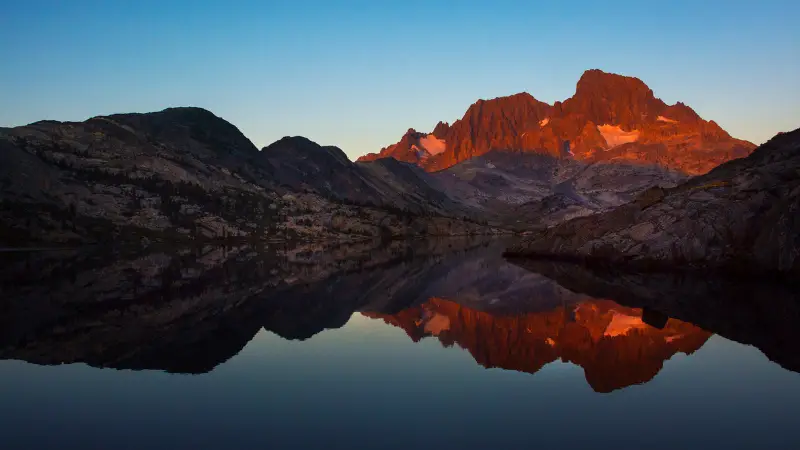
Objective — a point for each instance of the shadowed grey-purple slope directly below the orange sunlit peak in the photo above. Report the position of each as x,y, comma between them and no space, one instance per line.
525,189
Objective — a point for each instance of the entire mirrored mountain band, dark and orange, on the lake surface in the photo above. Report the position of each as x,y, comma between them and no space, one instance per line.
190,310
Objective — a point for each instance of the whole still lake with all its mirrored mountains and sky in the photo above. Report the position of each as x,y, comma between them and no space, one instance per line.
396,345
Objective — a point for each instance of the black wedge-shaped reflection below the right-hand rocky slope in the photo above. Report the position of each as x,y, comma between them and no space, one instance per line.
762,313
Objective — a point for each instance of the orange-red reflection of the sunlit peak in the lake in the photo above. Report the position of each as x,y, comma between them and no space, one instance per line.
612,343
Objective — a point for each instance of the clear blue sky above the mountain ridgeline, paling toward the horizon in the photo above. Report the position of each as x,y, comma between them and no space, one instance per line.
357,74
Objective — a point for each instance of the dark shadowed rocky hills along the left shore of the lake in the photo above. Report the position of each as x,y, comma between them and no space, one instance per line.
184,173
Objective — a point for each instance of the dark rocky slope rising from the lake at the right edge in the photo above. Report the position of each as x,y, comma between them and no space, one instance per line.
741,216
